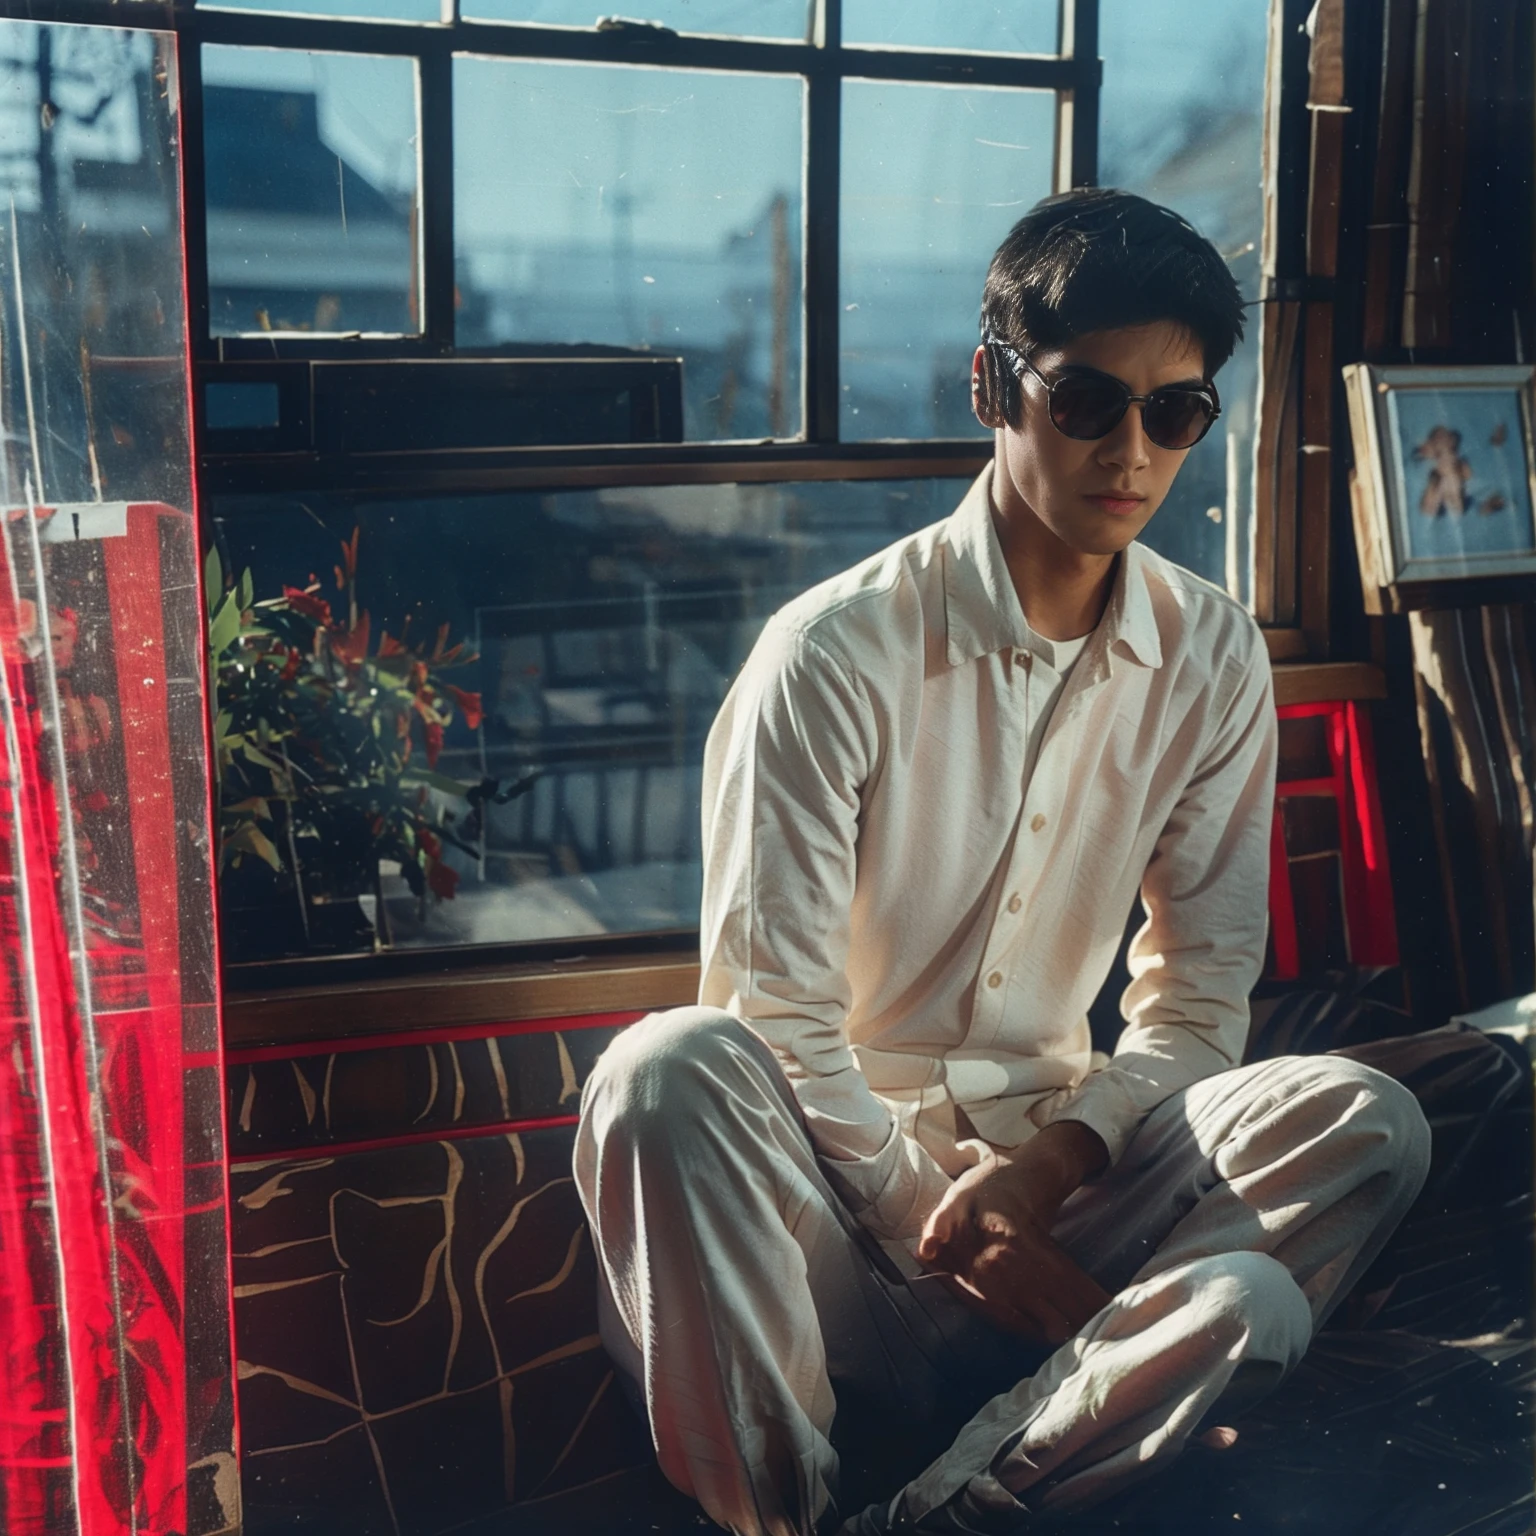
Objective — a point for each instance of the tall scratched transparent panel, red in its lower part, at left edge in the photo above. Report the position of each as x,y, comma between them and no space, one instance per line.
116,1382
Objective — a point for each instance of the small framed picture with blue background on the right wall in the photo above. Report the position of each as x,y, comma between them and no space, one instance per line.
1446,472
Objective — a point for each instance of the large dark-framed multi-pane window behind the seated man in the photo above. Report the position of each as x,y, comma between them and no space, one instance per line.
540,360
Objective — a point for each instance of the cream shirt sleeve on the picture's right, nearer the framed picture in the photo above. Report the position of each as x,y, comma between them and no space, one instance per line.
1207,898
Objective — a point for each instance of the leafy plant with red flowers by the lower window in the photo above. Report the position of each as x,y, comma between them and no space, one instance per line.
328,743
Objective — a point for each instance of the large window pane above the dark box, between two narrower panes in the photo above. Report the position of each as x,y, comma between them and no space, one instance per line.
640,208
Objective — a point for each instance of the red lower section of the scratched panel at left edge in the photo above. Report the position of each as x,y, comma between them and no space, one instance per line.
96,1182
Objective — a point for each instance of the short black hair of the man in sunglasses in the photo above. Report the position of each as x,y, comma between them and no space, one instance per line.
1099,259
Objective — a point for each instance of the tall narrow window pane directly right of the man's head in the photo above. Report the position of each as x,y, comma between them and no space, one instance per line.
1182,124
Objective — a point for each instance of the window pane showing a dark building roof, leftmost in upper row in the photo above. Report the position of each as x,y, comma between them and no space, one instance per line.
311,191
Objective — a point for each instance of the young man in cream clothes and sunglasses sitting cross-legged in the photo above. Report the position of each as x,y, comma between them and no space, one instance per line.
878,1185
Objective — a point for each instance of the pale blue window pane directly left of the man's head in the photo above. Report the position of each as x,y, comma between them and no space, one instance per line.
933,179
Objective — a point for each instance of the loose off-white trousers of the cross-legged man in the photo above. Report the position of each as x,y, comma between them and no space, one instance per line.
747,1308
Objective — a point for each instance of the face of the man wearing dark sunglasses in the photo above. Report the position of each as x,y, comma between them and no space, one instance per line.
1096,497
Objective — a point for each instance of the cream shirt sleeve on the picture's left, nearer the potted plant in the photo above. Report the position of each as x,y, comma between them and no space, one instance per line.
787,760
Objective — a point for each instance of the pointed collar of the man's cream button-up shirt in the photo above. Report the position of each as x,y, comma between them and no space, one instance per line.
982,612
